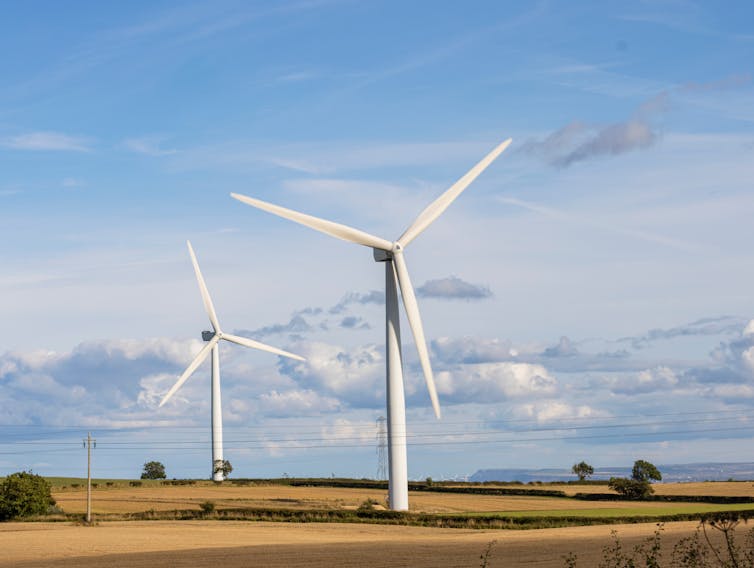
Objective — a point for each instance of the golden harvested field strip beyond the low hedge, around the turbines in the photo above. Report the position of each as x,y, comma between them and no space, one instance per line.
122,498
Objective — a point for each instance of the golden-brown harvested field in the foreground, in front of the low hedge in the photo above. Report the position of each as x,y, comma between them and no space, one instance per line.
239,544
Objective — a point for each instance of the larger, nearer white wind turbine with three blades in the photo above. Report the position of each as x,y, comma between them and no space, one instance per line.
391,253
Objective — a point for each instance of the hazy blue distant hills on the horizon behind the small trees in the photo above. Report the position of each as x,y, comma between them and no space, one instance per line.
675,472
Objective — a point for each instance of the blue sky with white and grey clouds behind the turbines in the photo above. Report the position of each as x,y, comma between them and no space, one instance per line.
589,297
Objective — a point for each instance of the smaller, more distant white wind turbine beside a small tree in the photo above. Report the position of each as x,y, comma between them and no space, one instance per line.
213,338
